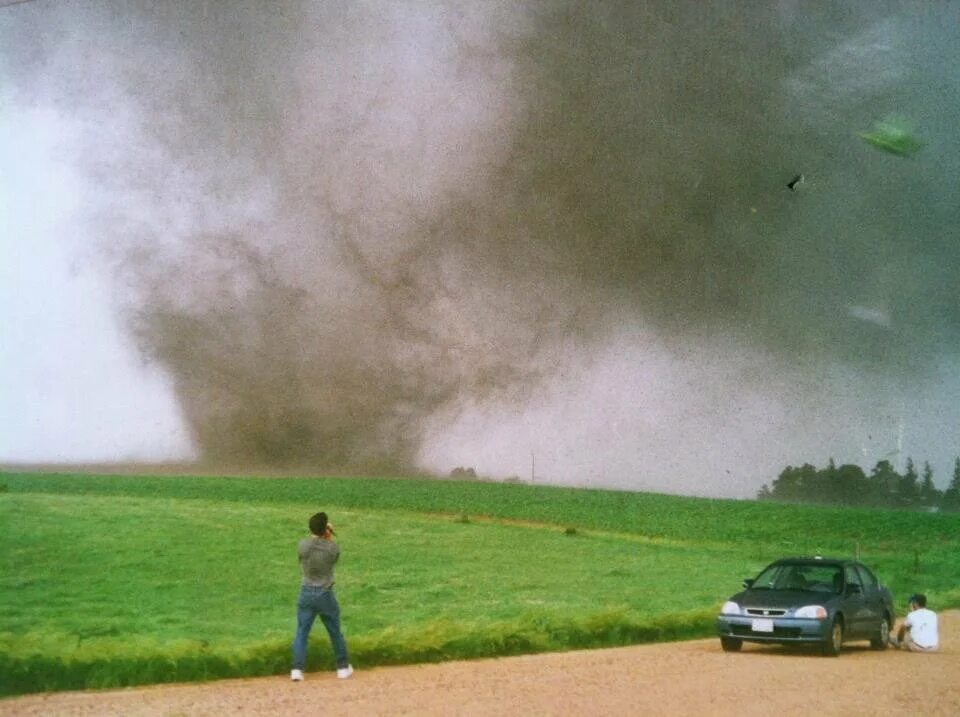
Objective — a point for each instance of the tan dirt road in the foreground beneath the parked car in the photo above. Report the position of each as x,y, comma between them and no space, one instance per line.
688,678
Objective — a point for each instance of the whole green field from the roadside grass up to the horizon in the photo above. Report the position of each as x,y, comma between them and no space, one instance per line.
119,580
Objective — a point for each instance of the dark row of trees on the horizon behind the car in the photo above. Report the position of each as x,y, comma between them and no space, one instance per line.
847,484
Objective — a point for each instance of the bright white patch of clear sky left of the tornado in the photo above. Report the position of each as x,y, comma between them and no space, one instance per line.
74,388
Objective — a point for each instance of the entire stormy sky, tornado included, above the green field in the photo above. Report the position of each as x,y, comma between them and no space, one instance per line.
542,242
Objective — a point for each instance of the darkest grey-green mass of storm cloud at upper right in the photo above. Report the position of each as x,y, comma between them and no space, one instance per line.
653,157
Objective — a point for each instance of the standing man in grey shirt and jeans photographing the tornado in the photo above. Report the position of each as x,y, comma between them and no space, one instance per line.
318,554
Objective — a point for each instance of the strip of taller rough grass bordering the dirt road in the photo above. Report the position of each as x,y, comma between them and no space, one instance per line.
108,666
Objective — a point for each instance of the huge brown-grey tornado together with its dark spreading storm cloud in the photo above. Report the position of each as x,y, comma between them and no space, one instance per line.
335,220
